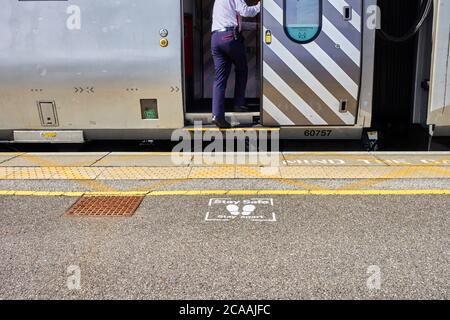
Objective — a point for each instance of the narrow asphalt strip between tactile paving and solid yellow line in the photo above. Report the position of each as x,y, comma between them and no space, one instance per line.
221,184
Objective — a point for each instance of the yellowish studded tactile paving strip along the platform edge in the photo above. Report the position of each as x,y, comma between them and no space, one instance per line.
224,172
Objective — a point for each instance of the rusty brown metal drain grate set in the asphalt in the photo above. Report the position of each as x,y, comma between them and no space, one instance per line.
114,206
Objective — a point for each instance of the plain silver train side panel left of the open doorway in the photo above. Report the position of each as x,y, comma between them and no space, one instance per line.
90,65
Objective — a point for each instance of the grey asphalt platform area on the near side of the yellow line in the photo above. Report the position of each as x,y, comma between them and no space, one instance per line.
331,247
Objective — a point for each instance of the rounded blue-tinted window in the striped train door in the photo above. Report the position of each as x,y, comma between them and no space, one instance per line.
302,19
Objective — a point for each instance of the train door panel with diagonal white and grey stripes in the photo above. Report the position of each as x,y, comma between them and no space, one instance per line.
305,84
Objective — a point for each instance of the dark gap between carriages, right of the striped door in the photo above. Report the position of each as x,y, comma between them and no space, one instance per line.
402,69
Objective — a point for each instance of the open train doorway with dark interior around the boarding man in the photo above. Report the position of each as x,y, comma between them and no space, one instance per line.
199,67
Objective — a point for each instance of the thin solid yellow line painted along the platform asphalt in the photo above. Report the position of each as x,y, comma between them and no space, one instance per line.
325,192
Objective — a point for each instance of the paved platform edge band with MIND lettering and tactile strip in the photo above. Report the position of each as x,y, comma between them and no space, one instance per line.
169,166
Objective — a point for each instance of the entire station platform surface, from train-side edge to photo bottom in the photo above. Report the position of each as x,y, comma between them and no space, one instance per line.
332,219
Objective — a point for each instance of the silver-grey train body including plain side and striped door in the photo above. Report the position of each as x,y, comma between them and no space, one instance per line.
80,70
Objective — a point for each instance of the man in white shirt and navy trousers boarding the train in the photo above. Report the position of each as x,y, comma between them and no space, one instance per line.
227,47
